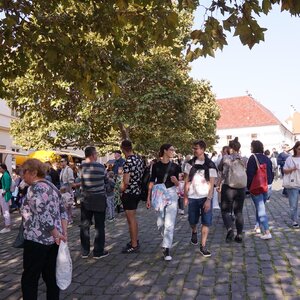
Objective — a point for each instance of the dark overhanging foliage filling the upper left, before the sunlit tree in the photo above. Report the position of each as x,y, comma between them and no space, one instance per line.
82,42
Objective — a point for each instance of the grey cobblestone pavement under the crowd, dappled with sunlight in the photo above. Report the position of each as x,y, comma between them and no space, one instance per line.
255,269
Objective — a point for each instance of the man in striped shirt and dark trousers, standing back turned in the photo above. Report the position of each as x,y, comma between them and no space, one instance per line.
93,179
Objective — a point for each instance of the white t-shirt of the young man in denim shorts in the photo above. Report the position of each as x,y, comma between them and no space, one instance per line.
199,187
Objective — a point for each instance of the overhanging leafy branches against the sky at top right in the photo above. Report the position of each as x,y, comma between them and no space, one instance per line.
238,16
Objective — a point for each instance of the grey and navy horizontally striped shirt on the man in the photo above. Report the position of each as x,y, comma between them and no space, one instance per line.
93,178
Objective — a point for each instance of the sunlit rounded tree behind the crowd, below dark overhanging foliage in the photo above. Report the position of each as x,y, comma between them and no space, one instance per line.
158,102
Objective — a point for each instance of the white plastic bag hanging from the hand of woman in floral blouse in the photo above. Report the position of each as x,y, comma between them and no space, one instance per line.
63,266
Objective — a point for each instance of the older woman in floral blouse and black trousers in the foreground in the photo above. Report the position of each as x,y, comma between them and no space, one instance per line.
45,225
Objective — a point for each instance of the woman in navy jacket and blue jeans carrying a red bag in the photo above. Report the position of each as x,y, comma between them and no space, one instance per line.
257,149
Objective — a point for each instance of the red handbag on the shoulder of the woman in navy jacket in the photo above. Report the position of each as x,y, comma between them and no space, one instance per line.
259,184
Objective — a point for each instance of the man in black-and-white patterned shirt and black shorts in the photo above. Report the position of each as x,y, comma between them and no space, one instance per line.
131,189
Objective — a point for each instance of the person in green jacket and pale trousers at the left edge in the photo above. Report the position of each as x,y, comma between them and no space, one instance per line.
5,197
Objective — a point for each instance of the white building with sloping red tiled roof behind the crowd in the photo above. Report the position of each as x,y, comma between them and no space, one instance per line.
247,119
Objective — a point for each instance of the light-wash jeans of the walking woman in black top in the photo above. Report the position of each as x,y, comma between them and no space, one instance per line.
167,218
